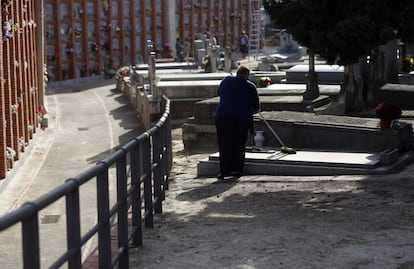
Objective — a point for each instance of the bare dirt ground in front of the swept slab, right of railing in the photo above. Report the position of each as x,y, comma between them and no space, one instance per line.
280,221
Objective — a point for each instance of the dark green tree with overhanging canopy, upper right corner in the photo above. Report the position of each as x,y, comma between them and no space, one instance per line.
343,31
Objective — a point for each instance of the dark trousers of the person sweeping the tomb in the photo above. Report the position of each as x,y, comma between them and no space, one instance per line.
231,136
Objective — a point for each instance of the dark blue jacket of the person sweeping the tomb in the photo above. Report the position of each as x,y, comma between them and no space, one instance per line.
238,98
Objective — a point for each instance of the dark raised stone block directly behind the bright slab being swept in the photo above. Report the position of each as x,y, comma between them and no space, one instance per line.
338,133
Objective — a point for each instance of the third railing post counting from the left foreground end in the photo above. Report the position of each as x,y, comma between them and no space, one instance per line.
104,233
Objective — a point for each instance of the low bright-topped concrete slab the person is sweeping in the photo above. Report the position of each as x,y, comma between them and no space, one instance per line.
308,163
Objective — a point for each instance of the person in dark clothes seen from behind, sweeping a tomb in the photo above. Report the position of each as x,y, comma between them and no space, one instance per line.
234,117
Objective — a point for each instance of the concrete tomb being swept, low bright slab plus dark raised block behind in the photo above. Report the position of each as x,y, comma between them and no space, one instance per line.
325,145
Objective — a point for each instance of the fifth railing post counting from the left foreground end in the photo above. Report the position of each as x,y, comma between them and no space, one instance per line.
136,172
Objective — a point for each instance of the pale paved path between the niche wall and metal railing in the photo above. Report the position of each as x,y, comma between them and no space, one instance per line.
88,119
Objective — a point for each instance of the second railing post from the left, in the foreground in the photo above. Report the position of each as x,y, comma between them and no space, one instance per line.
73,230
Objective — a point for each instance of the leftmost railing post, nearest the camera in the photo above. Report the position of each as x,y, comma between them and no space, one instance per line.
30,234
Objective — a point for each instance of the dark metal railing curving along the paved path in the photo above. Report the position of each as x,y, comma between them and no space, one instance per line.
142,170
